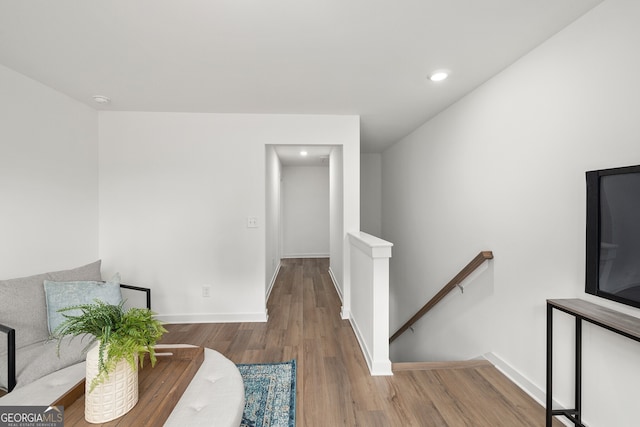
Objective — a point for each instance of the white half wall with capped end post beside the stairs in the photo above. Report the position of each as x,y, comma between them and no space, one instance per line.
369,299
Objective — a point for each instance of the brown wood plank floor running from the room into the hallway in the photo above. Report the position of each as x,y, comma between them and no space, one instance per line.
334,384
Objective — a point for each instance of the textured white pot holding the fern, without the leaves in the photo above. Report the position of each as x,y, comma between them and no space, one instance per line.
115,396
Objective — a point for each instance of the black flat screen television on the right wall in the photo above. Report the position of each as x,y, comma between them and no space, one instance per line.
613,234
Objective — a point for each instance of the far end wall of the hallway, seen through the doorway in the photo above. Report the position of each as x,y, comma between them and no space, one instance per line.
305,211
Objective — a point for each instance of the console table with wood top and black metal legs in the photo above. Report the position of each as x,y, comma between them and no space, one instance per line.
611,320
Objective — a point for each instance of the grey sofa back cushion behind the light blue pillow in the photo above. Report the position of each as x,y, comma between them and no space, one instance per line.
23,306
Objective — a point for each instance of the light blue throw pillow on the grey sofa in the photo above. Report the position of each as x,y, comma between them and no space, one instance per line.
65,294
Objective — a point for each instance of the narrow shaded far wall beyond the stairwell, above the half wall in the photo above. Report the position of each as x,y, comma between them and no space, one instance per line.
371,194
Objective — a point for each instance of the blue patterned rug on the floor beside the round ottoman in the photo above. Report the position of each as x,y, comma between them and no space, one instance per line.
270,394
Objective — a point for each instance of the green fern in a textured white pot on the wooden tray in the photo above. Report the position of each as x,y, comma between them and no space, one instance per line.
123,337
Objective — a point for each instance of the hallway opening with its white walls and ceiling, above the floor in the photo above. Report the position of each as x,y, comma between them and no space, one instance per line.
301,203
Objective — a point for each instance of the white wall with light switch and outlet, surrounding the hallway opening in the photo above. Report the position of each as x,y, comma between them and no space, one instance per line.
175,193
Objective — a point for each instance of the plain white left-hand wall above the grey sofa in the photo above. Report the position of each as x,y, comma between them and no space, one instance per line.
48,179
